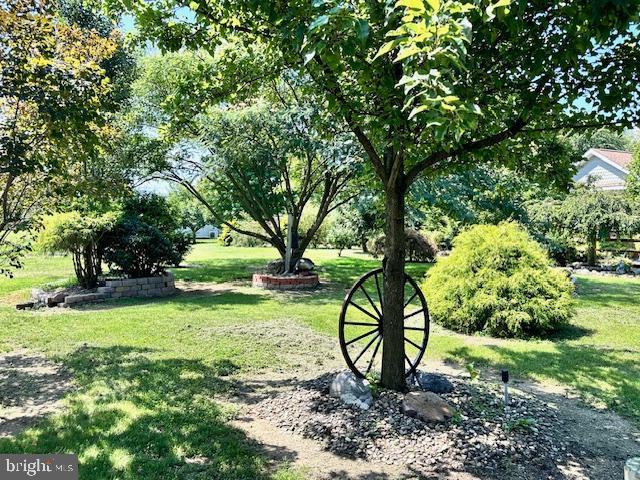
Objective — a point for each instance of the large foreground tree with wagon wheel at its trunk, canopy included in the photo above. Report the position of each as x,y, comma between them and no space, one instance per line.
426,86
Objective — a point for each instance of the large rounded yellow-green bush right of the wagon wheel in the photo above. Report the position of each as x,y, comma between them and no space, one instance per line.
499,281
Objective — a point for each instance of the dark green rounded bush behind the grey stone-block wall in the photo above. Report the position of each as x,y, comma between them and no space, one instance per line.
138,249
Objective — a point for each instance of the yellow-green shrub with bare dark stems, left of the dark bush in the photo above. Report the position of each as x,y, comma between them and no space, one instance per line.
79,234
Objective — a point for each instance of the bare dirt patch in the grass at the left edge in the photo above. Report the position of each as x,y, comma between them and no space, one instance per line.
31,386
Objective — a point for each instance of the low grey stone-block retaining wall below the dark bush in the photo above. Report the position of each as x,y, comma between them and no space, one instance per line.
126,288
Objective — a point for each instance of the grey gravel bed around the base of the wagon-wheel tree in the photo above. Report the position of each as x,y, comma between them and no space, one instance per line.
480,438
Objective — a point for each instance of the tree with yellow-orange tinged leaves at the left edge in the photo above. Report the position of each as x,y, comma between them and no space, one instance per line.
53,95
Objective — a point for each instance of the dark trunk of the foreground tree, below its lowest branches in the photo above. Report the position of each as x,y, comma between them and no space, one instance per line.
393,306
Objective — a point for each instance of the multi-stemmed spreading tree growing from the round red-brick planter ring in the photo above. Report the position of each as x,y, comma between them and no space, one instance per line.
261,159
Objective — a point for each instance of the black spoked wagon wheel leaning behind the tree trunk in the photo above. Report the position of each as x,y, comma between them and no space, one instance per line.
361,323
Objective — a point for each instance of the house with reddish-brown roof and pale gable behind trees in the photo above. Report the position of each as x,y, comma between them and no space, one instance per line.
605,169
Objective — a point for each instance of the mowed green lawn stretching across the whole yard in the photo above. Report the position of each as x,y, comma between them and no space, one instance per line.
149,373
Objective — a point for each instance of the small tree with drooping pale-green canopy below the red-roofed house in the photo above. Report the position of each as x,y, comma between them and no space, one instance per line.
587,214
